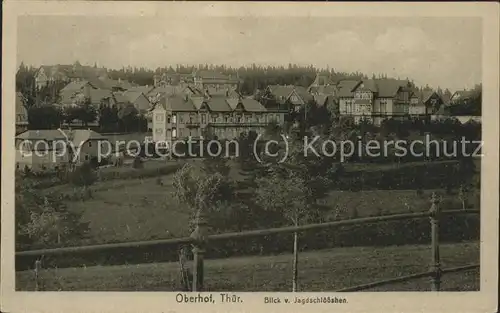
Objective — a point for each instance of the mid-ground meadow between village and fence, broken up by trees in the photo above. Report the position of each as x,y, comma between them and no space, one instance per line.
140,209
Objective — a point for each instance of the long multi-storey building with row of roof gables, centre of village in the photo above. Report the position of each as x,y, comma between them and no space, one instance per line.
223,115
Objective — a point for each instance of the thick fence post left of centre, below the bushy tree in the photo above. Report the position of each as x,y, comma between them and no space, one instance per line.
199,236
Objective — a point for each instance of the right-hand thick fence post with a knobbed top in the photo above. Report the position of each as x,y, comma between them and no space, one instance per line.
436,262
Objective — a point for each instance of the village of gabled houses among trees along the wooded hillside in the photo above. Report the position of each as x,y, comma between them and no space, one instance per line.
188,105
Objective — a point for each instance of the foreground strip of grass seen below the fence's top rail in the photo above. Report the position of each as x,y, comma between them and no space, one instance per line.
325,270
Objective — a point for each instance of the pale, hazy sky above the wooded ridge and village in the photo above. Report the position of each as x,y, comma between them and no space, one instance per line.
444,51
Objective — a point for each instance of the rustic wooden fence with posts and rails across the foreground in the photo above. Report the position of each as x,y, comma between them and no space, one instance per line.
200,239
